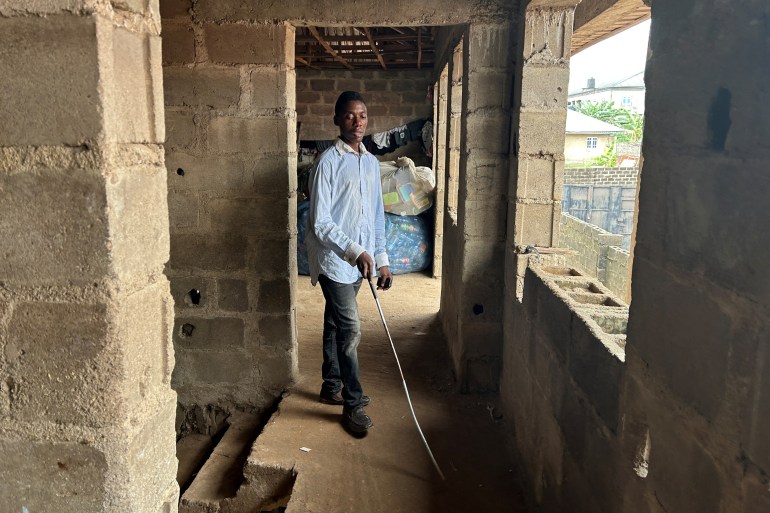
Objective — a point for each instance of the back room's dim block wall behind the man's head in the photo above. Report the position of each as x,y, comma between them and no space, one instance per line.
393,97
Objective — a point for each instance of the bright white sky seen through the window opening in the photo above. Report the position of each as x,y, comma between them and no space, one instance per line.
616,58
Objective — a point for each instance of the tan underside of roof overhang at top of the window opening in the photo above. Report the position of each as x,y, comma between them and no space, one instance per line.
596,20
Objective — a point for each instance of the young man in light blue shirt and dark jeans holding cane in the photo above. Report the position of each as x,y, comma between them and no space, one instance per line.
345,243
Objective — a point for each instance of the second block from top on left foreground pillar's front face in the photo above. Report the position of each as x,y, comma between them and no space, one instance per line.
59,227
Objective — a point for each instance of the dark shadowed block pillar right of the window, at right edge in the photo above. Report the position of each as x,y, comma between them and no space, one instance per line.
698,349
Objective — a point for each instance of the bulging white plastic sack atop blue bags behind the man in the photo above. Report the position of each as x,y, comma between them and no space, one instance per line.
406,190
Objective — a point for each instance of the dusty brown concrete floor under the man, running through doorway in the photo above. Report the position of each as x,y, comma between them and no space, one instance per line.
389,470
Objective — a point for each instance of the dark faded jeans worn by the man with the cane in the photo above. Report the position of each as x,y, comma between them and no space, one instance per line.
342,334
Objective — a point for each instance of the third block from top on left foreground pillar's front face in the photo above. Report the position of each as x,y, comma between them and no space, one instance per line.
69,381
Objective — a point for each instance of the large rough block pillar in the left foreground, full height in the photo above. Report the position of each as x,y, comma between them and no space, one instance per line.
86,409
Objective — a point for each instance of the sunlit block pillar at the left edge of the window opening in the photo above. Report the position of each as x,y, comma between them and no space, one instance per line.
539,120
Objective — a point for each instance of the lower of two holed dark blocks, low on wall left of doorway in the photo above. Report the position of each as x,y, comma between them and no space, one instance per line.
219,334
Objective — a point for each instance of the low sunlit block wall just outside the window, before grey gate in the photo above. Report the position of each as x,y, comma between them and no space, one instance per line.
592,245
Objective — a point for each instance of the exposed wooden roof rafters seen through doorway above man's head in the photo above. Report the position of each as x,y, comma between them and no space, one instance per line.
364,48
